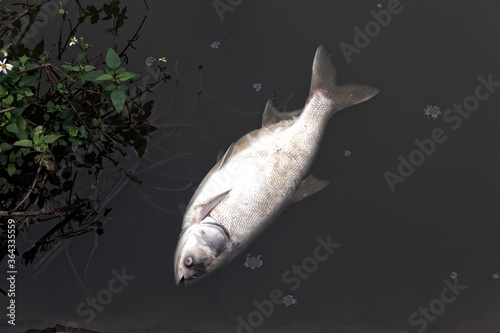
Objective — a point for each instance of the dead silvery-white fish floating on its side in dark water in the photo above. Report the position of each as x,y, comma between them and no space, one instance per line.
260,175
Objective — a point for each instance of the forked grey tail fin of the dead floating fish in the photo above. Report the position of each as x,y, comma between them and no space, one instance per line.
324,82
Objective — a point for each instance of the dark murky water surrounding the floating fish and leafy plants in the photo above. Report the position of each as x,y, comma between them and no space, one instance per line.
400,247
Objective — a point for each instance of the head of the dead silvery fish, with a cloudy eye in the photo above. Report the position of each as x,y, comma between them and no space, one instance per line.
202,248
